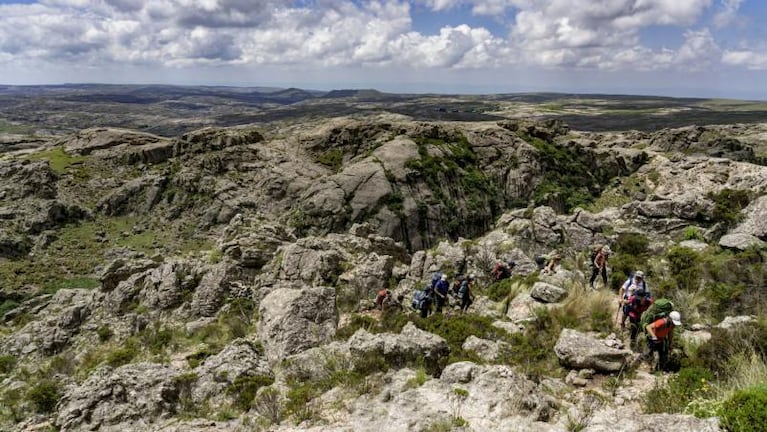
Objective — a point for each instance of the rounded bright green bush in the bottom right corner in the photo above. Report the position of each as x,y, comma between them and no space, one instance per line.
746,410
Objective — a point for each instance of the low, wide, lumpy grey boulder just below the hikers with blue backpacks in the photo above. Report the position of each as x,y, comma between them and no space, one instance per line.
411,346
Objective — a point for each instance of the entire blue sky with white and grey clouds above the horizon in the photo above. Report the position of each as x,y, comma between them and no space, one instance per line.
698,48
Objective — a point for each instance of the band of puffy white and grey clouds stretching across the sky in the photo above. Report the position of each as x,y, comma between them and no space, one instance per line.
607,35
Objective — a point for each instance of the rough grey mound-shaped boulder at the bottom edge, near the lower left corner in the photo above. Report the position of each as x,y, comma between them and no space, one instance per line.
130,396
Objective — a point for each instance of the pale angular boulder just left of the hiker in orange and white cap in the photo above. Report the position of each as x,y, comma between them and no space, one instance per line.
577,350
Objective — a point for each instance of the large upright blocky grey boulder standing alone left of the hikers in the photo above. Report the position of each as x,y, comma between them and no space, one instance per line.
294,320
